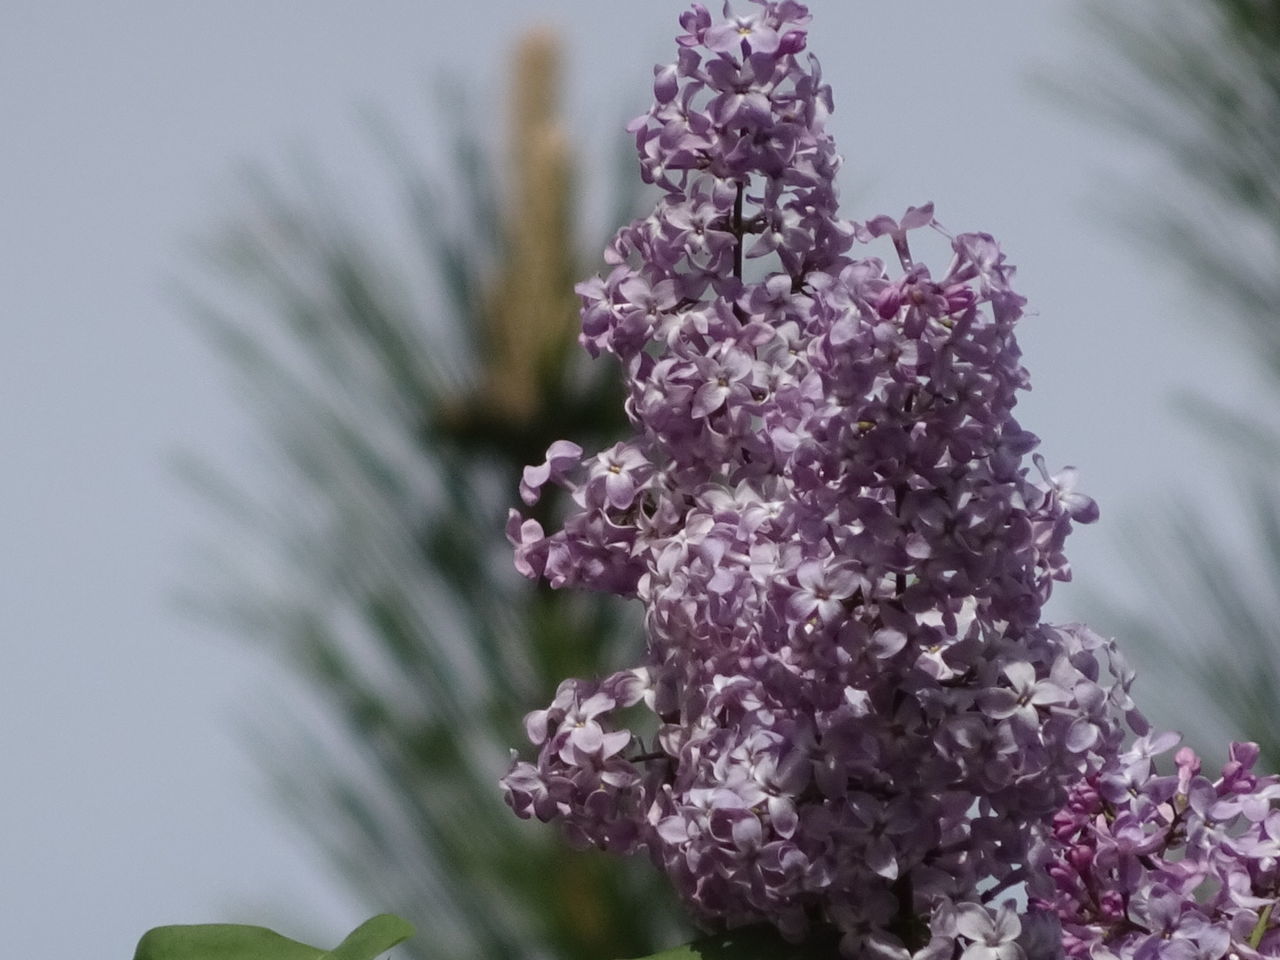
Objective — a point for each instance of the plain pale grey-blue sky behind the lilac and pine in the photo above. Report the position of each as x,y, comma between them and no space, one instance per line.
127,797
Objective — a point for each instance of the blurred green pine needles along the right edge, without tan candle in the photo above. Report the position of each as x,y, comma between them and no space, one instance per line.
1200,84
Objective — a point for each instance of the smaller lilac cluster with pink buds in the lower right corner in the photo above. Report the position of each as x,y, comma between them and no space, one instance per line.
1167,867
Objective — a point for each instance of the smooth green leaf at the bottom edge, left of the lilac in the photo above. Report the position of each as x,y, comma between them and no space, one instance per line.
230,941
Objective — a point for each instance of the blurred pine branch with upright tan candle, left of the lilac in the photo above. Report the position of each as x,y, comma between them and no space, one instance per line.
399,417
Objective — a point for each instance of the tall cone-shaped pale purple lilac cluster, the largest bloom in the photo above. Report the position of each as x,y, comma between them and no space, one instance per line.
849,711
